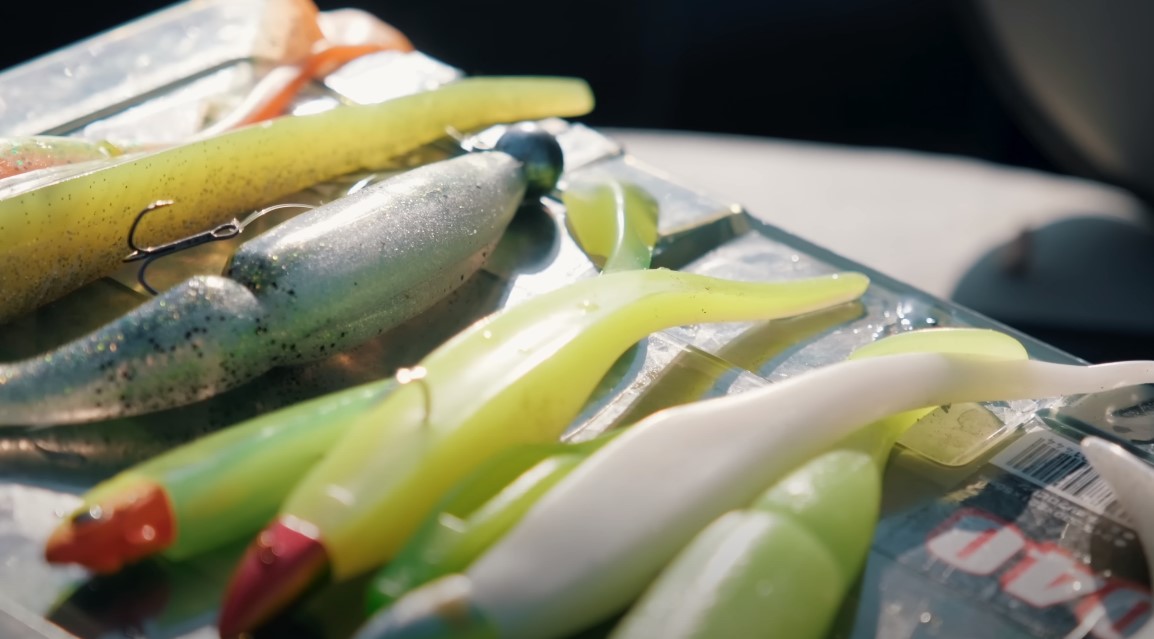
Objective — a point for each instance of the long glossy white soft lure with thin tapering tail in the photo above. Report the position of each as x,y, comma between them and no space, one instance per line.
618,514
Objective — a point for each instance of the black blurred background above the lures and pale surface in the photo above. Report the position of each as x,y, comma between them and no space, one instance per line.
895,73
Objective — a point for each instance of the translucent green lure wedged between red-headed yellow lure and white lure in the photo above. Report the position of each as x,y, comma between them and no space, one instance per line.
475,515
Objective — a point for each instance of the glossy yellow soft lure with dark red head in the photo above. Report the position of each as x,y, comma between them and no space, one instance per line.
519,377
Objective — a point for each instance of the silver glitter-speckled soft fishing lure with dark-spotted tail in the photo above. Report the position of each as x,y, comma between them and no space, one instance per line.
316,285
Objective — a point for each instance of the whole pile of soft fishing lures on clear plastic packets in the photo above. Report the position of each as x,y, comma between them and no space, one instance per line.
306,335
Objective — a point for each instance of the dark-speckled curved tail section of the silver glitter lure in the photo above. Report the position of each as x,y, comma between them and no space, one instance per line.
188,344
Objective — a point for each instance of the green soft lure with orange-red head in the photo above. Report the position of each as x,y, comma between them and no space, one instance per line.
208,493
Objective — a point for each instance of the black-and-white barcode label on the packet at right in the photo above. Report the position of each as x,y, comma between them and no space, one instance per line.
1059,465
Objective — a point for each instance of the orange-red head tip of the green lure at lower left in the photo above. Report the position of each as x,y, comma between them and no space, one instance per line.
125,528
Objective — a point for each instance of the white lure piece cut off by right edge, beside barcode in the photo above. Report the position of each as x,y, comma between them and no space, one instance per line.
1133,482
